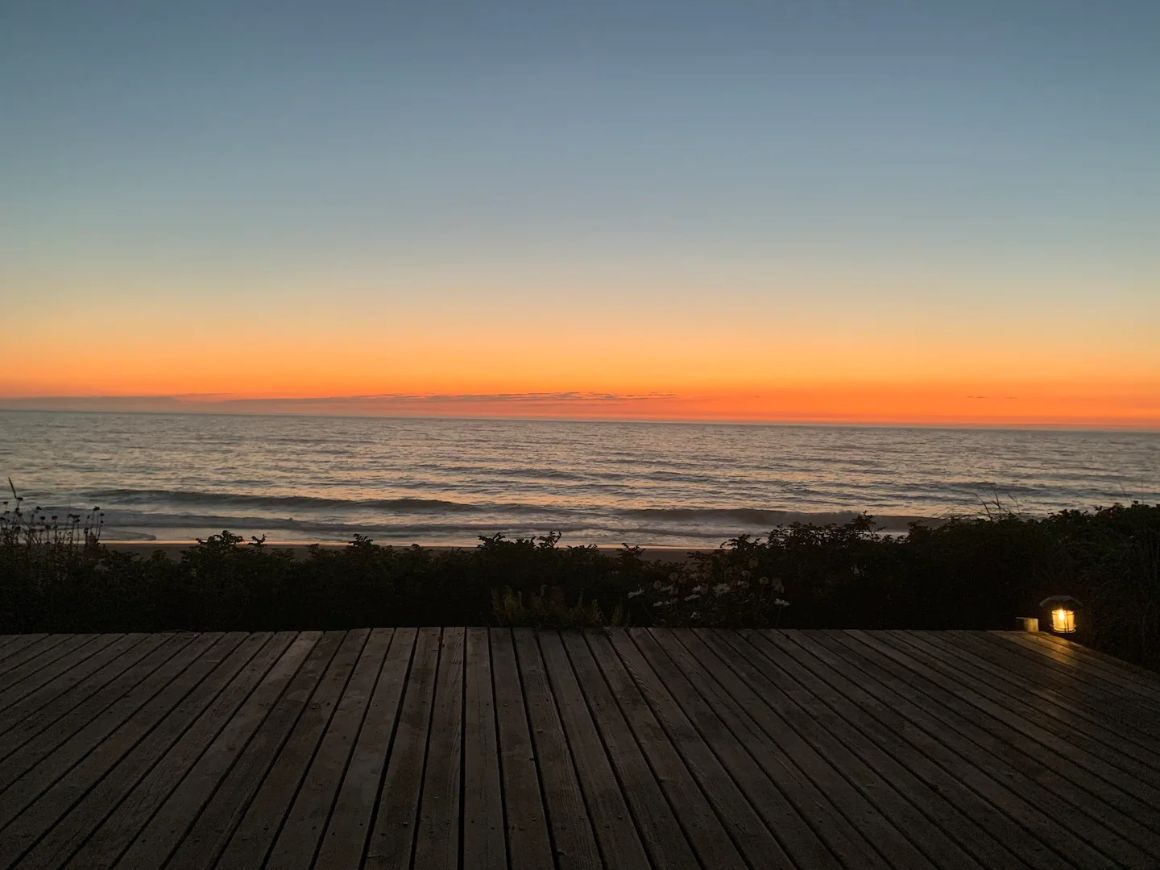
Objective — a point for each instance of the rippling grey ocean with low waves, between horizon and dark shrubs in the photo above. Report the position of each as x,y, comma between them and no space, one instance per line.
173,477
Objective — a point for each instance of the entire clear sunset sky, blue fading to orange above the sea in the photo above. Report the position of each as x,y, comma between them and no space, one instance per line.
900,212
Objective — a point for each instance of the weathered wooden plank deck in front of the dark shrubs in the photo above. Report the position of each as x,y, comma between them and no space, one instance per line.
632,749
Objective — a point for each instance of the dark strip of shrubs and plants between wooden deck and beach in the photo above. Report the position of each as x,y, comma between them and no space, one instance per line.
978,572
